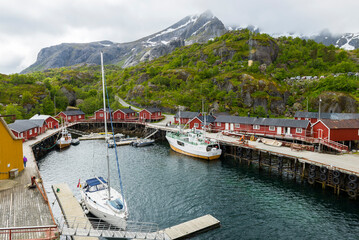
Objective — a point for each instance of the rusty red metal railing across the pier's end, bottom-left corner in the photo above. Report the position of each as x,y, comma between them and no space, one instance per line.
31,232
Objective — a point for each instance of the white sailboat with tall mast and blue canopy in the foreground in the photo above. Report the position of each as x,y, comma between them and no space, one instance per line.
98,197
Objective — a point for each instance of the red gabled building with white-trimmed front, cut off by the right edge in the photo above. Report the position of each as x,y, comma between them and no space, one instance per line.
337,130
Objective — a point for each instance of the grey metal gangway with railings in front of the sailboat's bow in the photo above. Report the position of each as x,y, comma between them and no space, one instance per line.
95,227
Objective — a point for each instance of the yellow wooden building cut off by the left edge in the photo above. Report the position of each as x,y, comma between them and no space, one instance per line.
11,155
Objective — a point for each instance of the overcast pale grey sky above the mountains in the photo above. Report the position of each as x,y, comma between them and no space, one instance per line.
27,26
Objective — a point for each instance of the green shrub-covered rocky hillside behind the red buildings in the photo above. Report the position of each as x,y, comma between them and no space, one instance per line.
216,73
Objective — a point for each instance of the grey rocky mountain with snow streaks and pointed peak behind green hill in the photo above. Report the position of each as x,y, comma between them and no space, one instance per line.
191,29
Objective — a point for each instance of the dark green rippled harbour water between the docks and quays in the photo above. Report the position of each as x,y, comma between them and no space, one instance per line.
168,188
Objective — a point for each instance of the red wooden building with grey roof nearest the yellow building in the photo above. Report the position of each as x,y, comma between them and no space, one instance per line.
25,129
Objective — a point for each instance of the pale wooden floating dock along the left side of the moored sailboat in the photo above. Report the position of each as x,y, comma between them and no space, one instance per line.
70,207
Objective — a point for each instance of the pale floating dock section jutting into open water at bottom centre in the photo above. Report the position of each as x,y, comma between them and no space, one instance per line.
192,227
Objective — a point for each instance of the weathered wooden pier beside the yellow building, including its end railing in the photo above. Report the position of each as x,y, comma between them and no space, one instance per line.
24,211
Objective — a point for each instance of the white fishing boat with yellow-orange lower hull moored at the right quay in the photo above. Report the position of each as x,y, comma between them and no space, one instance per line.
194,143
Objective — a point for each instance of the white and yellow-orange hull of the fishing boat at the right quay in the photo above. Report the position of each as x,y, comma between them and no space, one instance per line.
194,150
